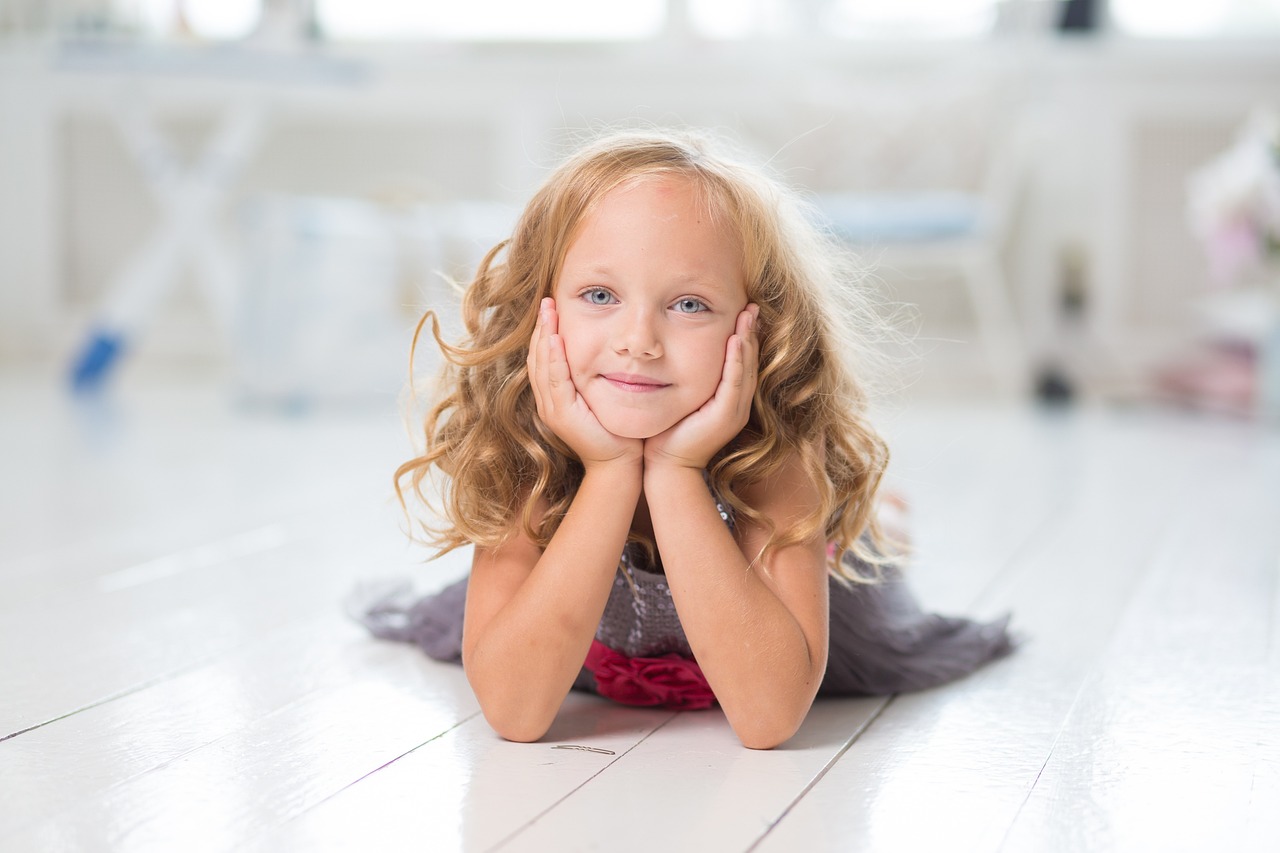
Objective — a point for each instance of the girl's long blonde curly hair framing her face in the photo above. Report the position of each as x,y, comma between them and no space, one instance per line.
500,460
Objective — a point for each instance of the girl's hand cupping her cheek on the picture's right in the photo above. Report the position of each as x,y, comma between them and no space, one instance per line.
694,440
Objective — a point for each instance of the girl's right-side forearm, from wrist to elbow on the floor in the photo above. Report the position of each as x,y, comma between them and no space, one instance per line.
756,655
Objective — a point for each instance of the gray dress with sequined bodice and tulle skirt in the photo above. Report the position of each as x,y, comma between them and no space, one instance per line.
881,641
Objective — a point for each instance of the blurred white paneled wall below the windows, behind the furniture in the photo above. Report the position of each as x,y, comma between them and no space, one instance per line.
1128,122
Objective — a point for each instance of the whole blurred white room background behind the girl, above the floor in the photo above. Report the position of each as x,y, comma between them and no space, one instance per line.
1080,198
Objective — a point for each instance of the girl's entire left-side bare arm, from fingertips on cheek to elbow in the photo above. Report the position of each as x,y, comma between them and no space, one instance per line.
532,614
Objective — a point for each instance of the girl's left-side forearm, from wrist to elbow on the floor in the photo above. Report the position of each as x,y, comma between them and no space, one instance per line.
524,660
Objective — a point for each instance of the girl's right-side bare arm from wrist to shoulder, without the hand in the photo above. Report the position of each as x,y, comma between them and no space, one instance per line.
760,632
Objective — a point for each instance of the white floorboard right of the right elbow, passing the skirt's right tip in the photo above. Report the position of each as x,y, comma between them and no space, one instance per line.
953,767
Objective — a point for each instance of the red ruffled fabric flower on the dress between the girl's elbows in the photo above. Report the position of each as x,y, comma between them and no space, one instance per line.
668,682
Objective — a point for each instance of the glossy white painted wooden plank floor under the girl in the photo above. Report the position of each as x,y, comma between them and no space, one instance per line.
177,674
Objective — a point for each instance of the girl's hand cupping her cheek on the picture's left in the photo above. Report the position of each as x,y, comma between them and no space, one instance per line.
561,407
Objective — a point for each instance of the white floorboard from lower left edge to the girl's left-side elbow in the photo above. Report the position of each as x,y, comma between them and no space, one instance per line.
81,758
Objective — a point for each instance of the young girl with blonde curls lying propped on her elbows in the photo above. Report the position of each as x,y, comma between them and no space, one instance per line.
653,443
